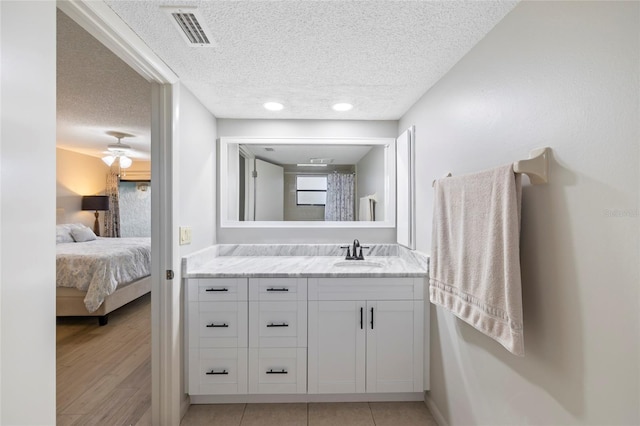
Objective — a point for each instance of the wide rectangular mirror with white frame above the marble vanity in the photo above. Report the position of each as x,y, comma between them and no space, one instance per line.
307,182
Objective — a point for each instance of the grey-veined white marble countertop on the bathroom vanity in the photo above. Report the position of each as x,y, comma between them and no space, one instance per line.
210,264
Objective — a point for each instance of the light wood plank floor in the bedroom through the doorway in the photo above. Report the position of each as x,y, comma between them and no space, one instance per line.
104,373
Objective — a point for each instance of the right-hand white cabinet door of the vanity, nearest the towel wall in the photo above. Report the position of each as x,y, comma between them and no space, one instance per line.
394,346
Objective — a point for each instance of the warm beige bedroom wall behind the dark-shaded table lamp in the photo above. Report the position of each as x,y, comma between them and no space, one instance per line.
78,175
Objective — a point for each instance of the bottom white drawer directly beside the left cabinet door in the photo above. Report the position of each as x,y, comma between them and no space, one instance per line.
278,370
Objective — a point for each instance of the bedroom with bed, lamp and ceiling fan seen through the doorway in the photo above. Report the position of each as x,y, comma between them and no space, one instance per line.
96,89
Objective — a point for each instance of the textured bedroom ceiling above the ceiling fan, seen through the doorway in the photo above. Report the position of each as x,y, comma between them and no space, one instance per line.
97,92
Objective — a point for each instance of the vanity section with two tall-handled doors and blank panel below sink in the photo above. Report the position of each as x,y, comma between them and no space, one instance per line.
365,335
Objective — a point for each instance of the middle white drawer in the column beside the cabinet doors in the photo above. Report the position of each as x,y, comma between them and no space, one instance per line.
278,324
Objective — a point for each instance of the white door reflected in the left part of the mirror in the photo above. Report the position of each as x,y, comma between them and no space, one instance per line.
269,191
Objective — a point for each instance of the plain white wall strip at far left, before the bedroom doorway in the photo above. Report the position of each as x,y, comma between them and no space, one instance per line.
27,214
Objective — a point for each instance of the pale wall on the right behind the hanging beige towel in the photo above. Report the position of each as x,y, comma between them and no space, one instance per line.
564,75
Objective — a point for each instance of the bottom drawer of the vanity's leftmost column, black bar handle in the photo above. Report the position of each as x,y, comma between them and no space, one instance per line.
219,371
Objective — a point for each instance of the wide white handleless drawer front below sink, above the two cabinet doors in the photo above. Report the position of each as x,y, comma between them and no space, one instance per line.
366,288
